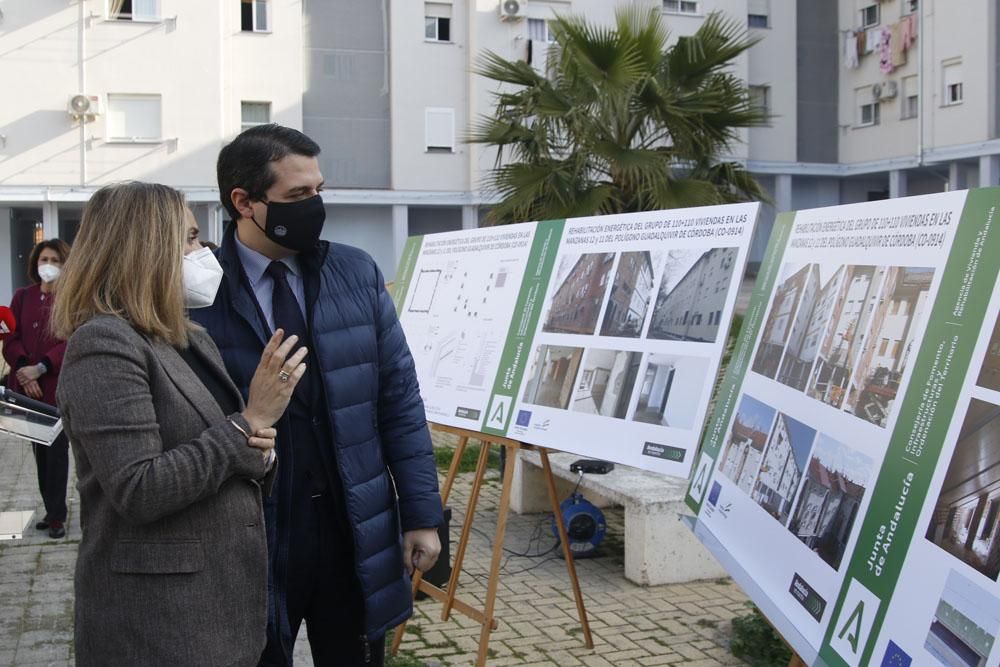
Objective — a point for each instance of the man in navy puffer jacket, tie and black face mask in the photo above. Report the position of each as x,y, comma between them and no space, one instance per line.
356,505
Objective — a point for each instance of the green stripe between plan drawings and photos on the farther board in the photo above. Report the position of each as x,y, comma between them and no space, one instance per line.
524,322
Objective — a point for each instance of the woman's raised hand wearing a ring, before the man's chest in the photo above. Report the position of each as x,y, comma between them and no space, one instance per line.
273,382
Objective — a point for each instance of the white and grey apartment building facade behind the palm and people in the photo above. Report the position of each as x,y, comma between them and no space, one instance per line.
386,87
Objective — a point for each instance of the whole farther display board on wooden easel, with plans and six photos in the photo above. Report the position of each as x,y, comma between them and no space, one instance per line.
600,336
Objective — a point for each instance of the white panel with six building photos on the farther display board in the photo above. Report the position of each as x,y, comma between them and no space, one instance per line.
631,334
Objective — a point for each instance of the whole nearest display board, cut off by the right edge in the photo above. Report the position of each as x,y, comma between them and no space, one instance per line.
834,433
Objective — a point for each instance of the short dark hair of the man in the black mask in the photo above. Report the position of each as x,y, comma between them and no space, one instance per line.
246,162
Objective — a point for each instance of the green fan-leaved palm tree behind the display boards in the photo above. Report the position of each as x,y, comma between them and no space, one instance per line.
623,122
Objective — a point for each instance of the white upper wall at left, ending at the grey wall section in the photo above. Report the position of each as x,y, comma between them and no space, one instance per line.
195,58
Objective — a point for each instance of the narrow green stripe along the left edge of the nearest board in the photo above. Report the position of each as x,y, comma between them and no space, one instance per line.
728,392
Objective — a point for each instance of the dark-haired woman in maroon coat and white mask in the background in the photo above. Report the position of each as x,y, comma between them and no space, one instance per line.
35,358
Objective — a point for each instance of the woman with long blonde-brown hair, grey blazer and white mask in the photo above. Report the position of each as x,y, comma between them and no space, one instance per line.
172,566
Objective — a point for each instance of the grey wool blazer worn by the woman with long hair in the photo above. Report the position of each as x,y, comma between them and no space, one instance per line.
172,566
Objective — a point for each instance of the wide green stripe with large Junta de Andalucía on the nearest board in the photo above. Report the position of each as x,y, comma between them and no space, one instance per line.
915,446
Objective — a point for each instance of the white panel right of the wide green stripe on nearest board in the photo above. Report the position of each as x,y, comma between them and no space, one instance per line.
946,606
